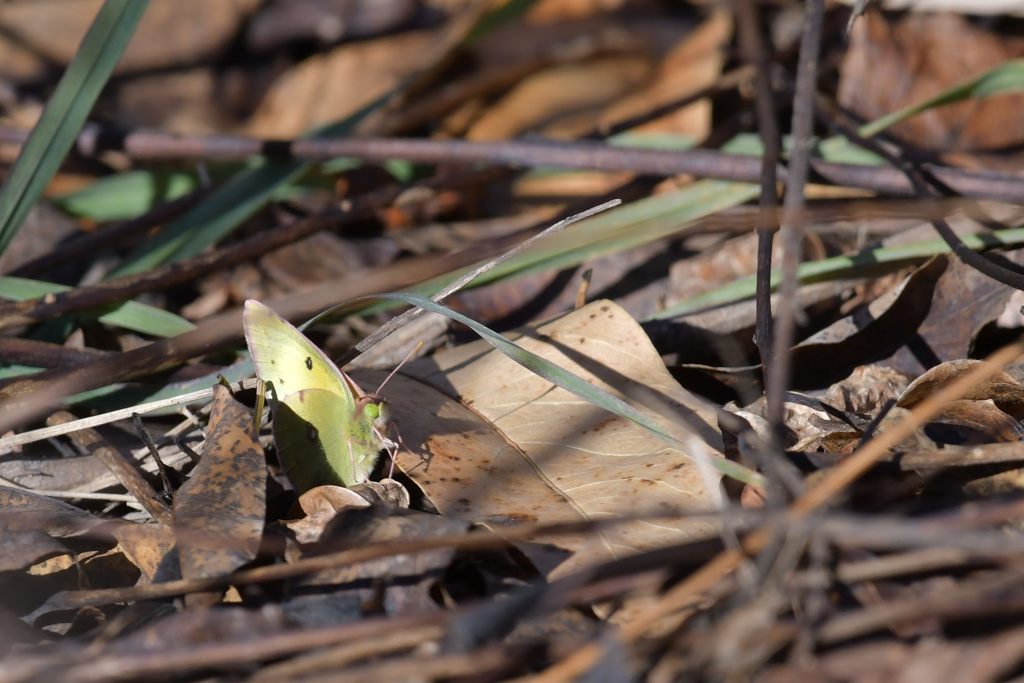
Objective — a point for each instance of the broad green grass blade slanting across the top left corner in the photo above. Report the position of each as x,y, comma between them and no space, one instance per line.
66,112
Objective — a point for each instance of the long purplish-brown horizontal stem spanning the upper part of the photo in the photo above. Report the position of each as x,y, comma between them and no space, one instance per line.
530,154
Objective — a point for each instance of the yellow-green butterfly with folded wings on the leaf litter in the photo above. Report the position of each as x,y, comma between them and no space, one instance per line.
326,429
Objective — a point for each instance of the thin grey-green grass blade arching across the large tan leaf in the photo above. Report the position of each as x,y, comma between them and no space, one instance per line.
571,382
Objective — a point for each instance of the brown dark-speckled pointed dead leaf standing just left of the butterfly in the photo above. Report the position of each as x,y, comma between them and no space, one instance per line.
219,514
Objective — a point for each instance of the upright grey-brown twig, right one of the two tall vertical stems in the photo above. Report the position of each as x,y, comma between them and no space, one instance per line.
802,132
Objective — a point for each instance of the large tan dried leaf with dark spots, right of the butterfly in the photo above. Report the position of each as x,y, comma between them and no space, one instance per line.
498,445
